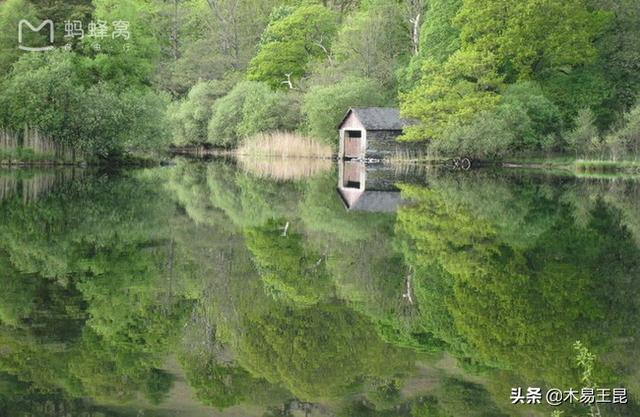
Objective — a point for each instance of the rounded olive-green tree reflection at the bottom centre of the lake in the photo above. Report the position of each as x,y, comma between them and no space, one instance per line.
322,351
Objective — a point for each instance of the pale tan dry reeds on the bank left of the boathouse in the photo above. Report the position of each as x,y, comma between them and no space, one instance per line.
284,145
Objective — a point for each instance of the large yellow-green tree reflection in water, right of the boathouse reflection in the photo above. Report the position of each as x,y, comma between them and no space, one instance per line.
512,302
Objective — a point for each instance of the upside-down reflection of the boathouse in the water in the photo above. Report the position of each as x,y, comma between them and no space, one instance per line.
367,188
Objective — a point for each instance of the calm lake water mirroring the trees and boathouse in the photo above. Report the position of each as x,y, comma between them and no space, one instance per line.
222,289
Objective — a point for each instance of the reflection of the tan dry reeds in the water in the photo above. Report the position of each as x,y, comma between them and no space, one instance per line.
281,169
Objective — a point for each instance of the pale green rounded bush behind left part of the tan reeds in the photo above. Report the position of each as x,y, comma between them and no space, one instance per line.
251,107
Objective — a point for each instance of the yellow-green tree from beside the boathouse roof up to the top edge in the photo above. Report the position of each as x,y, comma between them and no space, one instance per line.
500,43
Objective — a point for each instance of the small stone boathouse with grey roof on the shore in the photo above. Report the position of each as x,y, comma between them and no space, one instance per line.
370,133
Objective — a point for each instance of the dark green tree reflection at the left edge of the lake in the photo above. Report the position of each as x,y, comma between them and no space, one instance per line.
84,315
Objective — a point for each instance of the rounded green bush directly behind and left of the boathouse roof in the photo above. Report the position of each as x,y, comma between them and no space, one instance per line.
324,106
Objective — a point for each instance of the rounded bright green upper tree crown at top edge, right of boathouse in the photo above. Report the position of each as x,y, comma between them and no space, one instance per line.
530,36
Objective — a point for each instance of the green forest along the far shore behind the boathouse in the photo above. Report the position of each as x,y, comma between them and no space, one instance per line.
491,79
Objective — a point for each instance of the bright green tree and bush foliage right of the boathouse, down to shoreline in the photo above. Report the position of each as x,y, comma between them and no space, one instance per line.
502,43
